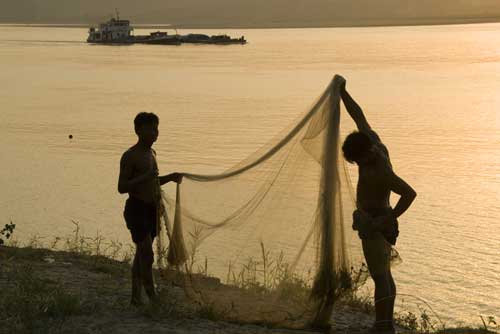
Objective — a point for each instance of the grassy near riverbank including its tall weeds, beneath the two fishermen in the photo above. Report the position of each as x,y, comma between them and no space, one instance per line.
81,284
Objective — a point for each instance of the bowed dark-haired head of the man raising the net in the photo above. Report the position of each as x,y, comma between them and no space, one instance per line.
358,148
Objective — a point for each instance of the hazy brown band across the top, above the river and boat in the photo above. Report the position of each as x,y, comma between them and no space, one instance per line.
240,13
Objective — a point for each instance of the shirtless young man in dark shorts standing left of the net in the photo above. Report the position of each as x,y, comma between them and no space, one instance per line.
139,178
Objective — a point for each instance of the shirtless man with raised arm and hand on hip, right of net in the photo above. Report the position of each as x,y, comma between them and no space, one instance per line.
374,219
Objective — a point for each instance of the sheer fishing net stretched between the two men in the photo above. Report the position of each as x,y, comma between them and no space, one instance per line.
274,232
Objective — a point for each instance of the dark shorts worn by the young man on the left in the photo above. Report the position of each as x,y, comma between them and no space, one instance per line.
140,218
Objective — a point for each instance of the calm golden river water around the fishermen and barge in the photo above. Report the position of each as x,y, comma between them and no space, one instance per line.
431,92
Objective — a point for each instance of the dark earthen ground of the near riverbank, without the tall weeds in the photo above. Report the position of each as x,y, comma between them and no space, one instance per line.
48,291
